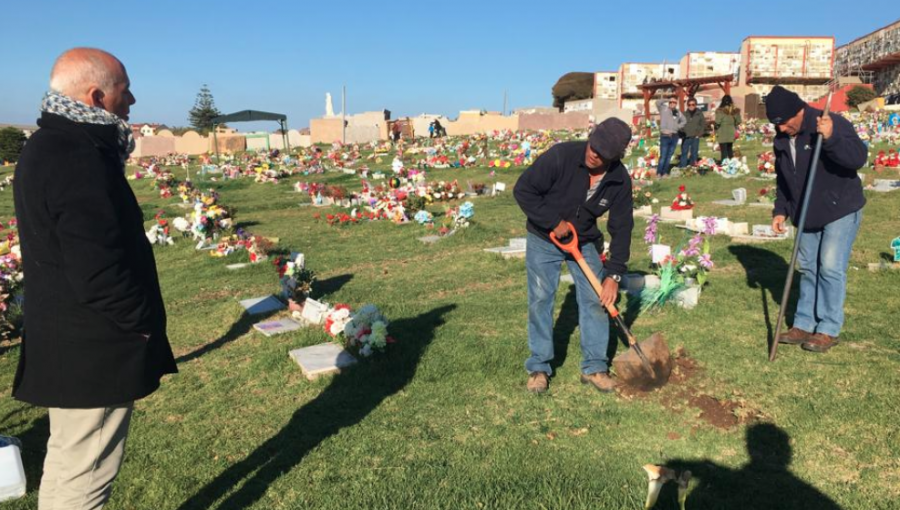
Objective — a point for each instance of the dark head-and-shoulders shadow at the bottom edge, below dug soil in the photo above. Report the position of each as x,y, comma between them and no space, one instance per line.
764,483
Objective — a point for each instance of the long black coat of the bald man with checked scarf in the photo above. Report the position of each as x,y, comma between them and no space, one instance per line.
95,324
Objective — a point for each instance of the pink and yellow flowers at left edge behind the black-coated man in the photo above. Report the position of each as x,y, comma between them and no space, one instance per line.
11,280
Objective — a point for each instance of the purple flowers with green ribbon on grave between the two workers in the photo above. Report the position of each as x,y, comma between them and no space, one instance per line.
691,264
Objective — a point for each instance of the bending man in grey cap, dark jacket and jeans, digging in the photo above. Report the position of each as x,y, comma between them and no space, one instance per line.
576,182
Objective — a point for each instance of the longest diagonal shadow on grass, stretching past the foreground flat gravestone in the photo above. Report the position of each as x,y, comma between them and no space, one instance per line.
347,400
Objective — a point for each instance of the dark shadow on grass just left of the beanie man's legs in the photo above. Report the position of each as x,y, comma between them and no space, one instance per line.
767,271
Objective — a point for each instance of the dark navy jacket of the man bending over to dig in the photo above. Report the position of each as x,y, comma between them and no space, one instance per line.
555,188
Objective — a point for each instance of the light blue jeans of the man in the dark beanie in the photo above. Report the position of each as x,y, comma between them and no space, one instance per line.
823,258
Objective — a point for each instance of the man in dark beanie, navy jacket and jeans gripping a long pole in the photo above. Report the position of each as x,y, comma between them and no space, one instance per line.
835,211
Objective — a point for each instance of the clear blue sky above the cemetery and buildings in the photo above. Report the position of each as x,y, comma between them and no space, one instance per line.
404,56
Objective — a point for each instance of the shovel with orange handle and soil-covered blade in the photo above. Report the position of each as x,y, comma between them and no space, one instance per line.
635,367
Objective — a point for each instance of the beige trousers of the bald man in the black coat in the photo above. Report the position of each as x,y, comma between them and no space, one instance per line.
84,453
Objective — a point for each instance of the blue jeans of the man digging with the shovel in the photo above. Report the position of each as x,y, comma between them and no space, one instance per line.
543,260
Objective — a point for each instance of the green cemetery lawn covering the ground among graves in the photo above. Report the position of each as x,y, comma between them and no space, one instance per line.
443,420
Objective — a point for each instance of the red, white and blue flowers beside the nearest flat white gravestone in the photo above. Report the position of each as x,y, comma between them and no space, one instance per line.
365,330
